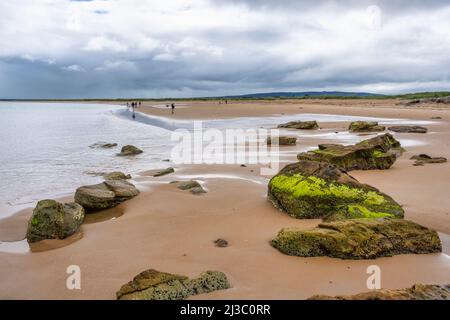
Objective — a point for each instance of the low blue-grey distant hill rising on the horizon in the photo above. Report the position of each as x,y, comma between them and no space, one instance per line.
305,94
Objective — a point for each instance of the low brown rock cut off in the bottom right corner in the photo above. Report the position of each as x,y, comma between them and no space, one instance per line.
416,292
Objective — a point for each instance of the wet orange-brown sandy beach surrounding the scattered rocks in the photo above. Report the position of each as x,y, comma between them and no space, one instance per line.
173,231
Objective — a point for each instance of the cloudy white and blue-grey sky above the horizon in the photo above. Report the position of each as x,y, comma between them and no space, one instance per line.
194,48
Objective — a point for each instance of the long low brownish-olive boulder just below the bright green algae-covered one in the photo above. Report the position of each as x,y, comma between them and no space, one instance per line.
358,239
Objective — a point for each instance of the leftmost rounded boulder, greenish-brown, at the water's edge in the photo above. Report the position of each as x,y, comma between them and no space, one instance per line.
54,220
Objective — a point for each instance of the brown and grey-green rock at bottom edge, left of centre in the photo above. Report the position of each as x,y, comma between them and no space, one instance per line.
155,285
